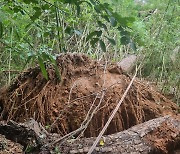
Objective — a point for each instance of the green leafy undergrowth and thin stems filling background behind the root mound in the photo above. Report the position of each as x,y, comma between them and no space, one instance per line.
34,31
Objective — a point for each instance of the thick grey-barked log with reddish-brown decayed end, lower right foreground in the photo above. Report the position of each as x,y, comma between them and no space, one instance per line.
161,135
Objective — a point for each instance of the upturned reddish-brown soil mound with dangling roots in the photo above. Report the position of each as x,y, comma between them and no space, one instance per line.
87,93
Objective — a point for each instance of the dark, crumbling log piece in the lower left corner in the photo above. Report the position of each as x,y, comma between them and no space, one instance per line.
30,133
